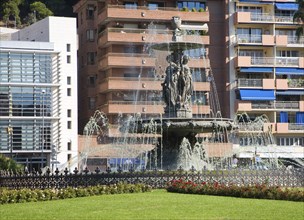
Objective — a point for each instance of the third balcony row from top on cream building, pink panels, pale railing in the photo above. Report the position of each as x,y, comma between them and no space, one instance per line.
247,61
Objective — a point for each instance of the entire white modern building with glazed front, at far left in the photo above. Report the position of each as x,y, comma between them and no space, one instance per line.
38,93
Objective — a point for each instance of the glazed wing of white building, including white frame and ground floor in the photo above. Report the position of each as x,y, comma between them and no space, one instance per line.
28,110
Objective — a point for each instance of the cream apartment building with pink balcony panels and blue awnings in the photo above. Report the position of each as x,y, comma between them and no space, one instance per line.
267,73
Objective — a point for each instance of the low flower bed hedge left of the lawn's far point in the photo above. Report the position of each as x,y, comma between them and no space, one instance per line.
34,195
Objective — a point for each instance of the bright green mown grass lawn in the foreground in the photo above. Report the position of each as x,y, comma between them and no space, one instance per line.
154,205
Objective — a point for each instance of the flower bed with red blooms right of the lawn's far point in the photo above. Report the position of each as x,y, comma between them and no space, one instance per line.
259,191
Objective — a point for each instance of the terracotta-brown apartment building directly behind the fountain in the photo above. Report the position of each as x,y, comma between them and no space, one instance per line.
115,67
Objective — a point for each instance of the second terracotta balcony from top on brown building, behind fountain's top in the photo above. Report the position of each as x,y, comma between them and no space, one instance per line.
127,35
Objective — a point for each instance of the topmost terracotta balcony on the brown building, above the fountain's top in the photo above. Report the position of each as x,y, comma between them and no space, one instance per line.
117,12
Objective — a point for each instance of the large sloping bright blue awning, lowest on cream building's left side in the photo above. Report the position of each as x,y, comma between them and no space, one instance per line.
257,94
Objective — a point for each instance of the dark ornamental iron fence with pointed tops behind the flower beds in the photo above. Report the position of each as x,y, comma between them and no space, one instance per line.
156,179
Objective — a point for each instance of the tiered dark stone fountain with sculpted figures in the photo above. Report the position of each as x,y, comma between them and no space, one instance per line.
180,143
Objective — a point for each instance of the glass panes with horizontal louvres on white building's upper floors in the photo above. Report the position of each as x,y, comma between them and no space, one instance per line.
26,95
